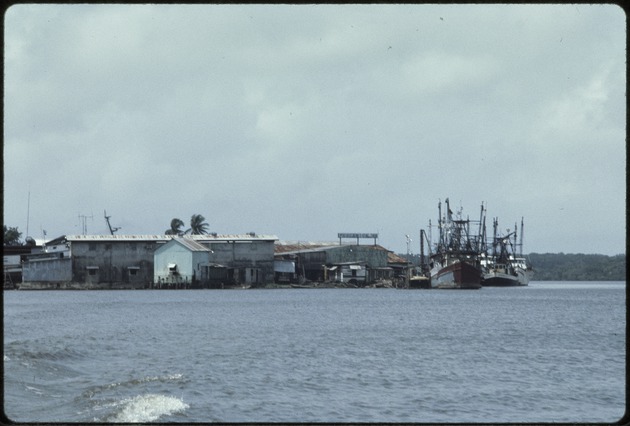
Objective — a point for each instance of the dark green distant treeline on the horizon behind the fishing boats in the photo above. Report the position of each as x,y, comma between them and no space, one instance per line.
569,267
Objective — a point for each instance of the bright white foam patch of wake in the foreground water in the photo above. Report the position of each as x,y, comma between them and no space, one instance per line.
148,408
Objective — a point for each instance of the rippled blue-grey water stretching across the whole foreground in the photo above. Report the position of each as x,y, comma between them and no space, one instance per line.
550,352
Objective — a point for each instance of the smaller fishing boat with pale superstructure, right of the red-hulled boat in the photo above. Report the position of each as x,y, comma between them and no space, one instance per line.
502,268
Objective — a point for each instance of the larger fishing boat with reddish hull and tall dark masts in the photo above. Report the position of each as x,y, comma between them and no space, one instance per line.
455,264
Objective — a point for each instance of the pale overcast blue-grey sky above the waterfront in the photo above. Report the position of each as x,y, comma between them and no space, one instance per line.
305,121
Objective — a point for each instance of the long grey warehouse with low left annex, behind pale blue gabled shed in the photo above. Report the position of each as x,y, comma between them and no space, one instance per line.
127,261
